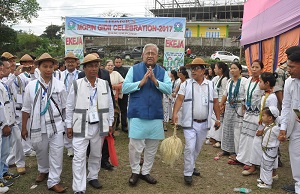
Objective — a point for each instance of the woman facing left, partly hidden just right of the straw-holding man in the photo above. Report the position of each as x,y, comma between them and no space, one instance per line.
222,72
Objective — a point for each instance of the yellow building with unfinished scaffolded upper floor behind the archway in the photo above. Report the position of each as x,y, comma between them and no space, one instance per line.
205,18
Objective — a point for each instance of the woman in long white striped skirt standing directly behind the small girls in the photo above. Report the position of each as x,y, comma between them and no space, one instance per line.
250,121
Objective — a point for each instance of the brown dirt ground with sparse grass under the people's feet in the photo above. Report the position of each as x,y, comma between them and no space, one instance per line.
216,176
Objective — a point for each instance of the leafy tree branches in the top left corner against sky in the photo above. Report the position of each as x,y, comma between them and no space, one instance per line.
14,10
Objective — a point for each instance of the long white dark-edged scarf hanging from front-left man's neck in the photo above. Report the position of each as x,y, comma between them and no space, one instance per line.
40,109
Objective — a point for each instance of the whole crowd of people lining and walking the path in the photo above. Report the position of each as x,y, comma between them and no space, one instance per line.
46,106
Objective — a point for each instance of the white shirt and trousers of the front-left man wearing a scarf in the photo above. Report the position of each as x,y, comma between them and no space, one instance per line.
50,150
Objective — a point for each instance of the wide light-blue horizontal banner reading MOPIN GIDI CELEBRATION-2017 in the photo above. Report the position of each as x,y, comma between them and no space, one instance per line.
127,26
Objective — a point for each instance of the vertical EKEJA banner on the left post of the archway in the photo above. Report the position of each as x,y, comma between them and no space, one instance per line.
74,44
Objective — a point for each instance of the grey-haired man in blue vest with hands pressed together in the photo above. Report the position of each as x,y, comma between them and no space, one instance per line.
146,82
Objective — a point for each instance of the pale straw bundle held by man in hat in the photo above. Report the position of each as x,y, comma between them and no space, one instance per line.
171,148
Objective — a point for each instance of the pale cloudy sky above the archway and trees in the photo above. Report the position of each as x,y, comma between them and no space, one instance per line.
53,10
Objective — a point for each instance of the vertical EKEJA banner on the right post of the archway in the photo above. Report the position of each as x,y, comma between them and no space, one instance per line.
174,53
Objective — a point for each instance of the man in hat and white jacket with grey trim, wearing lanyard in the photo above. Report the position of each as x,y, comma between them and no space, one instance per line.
89,118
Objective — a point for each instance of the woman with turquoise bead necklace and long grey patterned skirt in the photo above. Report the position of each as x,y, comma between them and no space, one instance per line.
233,117
